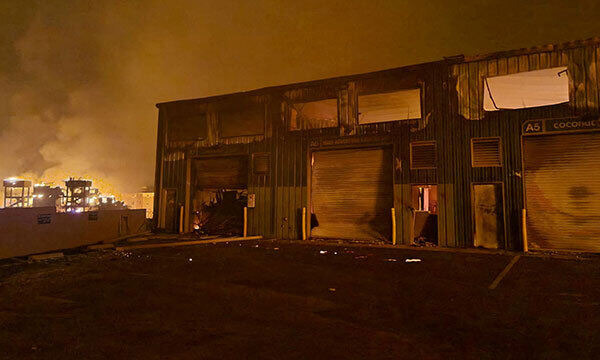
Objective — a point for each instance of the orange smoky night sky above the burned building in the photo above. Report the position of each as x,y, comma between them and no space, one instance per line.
79,79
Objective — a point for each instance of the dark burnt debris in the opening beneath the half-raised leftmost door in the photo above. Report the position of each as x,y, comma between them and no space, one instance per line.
224,215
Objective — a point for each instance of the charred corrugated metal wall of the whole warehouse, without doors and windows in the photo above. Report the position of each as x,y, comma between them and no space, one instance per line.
452,115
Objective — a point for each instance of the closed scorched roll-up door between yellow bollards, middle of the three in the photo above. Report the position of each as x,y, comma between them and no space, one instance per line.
352,194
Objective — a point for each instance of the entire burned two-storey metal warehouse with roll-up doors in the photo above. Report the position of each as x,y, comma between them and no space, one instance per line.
497,151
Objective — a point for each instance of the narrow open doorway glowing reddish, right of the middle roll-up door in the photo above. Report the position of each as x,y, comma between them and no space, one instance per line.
424,215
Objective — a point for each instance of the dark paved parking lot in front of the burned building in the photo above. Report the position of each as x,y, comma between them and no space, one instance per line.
280,300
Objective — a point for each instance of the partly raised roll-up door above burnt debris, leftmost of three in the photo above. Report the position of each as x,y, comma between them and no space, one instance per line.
227,172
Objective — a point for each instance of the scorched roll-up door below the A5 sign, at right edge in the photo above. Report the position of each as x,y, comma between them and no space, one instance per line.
562,184
